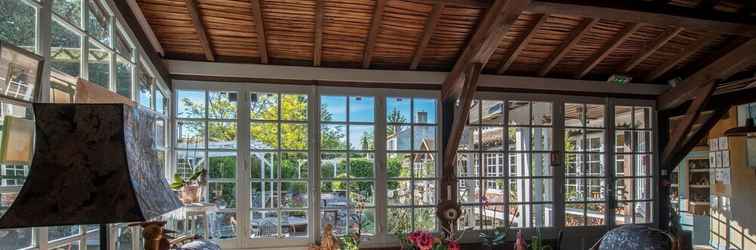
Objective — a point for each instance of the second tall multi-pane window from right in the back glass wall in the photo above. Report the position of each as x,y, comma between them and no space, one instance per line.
585,167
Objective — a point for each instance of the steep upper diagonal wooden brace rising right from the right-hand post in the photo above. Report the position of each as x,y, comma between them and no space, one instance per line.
679,134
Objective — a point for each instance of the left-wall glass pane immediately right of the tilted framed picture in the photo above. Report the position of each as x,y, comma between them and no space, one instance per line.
65,49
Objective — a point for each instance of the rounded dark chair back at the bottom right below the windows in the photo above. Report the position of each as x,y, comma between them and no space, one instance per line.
636,237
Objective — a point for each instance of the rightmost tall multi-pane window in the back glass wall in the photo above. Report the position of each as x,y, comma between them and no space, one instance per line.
633,165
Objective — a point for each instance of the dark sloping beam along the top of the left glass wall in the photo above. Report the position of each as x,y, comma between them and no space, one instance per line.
152,55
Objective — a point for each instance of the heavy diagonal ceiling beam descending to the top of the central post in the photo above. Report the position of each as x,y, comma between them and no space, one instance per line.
491,29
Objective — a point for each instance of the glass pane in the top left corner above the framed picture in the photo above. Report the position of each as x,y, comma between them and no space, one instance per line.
18,21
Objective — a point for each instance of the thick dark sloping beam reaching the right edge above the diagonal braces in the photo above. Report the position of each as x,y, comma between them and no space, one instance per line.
721,69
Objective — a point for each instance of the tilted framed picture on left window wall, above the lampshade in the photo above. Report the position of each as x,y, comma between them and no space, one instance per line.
20,72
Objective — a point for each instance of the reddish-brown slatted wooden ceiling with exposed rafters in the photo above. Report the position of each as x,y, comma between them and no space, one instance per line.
545,40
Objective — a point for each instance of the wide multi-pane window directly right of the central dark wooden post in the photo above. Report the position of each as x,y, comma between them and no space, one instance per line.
506,180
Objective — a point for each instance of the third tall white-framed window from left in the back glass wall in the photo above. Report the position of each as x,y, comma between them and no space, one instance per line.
347,163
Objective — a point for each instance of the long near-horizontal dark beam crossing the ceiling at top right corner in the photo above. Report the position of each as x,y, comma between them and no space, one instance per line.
649,13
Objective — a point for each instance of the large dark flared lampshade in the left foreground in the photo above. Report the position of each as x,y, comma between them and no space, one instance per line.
93,164
